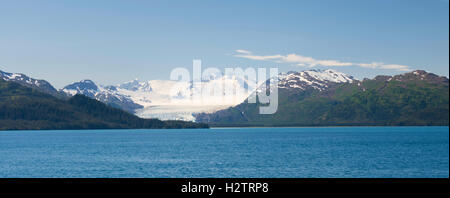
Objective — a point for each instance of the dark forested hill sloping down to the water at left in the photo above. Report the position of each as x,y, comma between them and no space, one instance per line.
26,108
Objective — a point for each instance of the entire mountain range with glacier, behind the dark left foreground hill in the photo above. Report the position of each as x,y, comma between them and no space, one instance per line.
306,98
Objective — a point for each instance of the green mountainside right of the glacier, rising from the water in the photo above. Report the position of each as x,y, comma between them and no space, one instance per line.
415,98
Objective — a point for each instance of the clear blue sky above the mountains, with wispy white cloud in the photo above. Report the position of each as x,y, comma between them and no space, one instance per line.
116,41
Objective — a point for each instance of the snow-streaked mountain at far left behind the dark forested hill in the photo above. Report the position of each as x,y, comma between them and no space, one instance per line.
22,79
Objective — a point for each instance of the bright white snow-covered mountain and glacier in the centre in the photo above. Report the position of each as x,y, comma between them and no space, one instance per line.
166,99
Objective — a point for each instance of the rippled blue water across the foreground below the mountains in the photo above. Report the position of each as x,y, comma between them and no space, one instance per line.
233,152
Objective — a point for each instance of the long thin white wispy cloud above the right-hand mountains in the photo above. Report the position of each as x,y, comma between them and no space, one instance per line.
305,61
